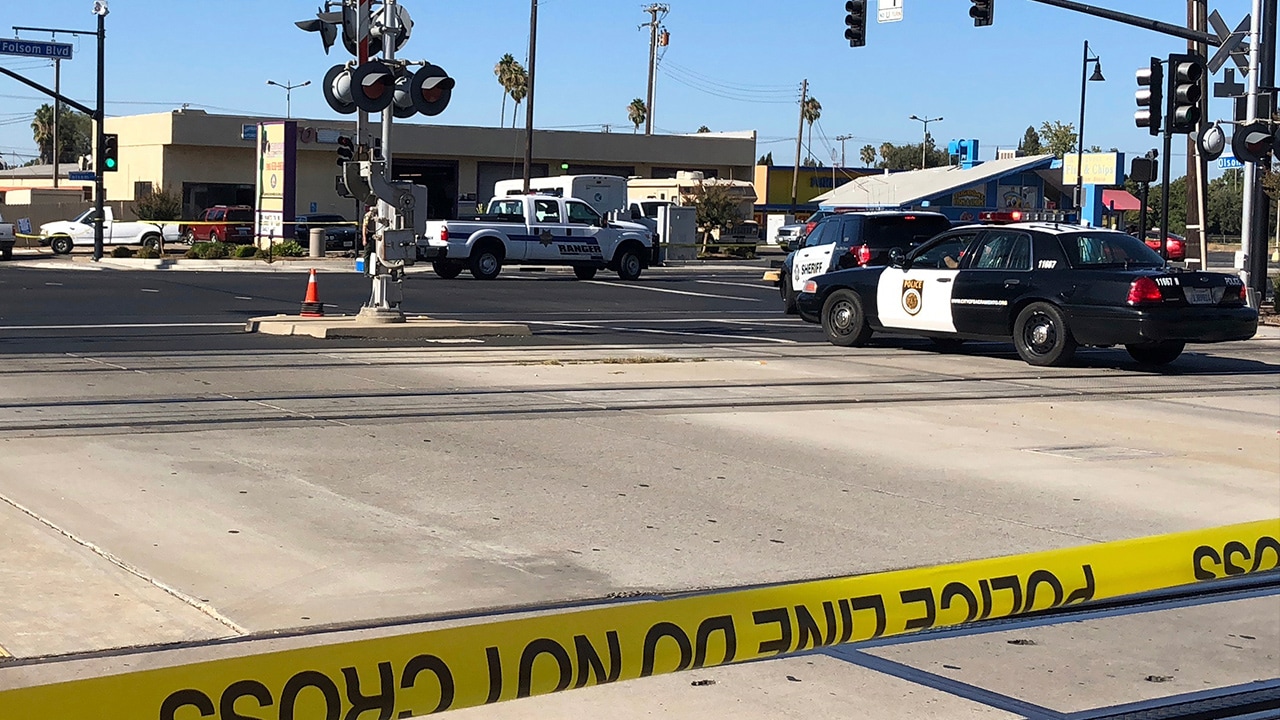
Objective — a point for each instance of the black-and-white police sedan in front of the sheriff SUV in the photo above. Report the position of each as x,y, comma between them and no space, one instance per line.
1049,288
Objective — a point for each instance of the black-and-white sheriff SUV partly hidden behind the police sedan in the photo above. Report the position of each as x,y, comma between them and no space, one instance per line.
849,240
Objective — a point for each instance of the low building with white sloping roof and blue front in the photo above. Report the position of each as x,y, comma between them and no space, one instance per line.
958,192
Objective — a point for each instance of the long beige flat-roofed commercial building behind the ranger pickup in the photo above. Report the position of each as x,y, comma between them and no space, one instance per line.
211,160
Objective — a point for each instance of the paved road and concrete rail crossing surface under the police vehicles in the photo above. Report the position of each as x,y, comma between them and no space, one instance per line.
167,477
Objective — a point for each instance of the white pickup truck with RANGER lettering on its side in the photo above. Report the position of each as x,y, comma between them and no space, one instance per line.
537,230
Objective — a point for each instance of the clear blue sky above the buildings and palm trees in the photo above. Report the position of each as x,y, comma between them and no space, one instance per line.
732,66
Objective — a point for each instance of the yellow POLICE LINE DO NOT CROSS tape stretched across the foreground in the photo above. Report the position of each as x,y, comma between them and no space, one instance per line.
447,669
